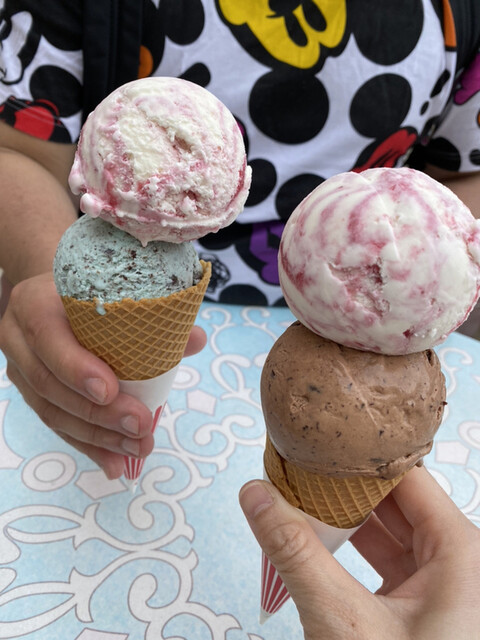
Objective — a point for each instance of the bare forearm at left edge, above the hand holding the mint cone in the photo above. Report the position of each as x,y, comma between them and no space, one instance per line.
35,207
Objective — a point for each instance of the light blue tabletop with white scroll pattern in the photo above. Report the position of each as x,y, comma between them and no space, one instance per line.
81,558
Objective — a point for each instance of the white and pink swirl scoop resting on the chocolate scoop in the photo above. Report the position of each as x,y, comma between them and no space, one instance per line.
387,260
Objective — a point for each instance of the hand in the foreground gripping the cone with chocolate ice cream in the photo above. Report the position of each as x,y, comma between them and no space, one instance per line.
424,548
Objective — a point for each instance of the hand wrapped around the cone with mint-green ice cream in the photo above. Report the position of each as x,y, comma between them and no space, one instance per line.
73,392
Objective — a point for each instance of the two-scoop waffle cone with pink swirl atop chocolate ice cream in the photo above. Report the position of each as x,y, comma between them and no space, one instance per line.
363,261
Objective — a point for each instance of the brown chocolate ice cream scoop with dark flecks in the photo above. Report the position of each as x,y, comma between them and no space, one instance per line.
337,411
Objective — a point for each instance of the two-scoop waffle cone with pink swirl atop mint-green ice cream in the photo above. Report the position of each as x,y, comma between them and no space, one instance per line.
160,162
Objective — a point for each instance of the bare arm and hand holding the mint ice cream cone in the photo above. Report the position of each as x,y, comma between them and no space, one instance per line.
73,392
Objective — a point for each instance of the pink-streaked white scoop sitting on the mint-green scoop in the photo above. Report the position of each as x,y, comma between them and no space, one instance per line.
163,159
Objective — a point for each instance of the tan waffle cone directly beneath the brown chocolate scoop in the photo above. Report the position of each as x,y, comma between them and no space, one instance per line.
340,502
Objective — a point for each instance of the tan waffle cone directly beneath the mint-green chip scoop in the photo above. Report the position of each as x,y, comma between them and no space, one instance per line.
138,339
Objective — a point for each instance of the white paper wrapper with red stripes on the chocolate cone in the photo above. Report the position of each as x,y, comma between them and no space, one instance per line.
274,593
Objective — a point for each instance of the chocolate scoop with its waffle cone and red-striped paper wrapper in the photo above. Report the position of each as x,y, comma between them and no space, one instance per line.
362,419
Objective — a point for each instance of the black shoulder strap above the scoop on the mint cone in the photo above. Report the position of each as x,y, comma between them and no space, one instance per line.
111,47
